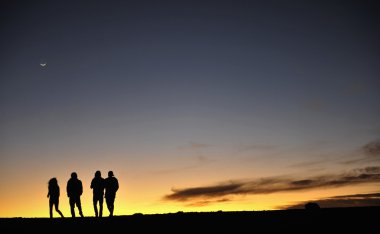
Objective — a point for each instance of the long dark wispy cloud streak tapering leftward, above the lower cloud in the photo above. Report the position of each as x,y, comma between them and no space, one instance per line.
275,185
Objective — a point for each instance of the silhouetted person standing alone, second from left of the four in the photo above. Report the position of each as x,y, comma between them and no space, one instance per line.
74,191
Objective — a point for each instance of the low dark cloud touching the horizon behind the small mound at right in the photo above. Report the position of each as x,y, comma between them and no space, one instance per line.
371,199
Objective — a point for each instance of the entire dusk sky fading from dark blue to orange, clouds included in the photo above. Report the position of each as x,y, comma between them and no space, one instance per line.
195,105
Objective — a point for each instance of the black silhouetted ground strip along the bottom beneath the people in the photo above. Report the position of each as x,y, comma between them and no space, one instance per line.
359,220
